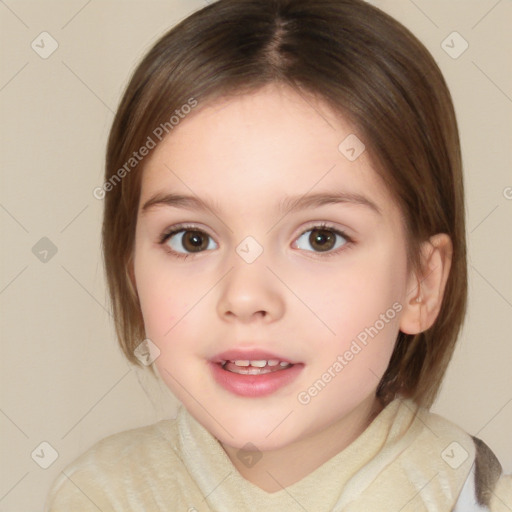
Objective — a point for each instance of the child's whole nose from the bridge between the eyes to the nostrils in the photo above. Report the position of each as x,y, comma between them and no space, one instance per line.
249,289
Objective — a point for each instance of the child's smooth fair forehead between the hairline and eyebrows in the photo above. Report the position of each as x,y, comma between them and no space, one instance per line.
256,148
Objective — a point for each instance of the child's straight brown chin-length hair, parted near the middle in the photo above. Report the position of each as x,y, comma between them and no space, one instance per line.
364,65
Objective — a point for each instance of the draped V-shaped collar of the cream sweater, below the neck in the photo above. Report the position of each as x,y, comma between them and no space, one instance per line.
225,489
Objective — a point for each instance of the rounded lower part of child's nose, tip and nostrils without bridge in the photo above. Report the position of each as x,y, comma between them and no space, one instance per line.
250,293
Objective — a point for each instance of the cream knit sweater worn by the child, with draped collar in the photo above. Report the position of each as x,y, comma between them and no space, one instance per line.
407,460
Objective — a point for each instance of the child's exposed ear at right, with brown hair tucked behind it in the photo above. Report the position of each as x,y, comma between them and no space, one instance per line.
427,285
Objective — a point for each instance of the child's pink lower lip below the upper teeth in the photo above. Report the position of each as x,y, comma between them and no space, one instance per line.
254,385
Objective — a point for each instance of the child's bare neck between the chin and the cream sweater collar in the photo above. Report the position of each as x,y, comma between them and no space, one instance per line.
289,464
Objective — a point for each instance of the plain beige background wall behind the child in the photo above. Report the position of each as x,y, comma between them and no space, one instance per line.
63,379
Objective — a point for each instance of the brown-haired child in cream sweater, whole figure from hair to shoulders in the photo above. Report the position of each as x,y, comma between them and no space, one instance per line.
284,237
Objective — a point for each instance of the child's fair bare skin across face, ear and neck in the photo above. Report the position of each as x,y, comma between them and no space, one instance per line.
246,154
